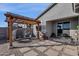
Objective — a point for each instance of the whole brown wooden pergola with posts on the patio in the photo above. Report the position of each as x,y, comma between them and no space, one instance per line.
15,18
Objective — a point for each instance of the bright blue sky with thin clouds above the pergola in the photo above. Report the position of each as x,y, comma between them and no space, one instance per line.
32,10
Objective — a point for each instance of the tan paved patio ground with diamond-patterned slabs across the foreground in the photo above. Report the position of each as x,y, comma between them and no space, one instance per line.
39,48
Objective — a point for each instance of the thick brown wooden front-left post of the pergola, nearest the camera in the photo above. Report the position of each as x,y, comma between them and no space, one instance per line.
10,23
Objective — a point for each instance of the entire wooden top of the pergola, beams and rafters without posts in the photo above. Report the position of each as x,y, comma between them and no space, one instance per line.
18,18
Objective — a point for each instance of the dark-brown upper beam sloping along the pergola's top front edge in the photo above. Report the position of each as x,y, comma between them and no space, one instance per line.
21,17
